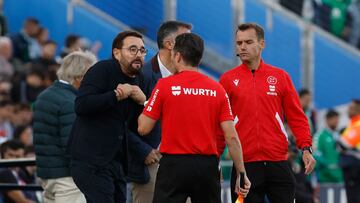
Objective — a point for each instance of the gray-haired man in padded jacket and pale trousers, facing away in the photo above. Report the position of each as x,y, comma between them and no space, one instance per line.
53,118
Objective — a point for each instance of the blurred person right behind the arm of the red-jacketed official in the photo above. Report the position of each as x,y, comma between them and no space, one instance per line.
305,100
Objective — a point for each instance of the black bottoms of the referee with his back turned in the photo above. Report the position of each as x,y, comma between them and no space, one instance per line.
182,176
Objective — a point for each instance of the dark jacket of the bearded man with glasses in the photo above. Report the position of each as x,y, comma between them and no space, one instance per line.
102,127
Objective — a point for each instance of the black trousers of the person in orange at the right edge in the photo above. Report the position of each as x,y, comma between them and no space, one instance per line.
352,183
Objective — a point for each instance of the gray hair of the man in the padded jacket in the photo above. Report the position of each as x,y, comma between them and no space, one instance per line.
75,65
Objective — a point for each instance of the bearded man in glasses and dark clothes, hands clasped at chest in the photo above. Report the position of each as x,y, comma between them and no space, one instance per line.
108,101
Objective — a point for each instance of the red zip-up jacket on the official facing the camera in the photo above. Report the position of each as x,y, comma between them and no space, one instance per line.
259,101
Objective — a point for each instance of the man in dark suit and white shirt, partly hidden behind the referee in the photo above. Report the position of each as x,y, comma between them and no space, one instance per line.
144,156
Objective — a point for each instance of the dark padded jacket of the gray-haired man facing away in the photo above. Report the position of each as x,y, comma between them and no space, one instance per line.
53,118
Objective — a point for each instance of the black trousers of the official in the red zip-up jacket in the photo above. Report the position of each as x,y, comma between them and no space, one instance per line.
273,179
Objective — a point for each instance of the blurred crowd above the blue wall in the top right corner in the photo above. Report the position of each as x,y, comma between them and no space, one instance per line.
339,17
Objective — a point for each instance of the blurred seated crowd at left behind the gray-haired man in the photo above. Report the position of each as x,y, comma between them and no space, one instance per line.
28,65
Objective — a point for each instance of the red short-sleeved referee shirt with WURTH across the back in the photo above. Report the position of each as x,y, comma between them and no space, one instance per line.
191,107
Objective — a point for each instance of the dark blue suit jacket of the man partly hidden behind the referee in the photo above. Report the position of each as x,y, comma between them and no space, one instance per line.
138,171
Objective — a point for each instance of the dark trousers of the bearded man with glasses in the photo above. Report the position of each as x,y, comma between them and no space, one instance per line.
100,184
